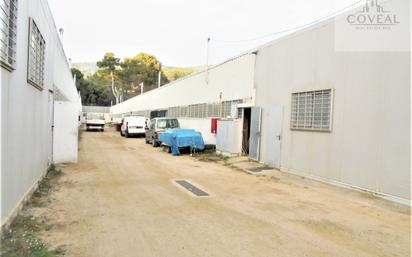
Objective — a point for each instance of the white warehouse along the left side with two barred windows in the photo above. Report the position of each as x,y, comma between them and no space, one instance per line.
40,106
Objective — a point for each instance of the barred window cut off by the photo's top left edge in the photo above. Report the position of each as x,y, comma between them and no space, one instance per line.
8,33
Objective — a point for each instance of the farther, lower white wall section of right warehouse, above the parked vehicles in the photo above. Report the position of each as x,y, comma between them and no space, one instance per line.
195,99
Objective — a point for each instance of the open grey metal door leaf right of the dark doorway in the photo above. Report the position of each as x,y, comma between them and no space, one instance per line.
254,140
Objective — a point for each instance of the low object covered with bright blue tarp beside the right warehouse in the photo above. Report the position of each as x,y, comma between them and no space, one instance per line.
176,138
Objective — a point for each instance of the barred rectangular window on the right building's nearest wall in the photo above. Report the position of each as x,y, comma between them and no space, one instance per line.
312,110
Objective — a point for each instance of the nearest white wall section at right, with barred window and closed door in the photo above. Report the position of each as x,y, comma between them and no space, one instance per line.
341,117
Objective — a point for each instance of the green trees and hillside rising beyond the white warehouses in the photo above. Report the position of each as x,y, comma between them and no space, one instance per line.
112,80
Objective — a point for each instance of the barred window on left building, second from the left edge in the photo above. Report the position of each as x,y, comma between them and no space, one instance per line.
35,73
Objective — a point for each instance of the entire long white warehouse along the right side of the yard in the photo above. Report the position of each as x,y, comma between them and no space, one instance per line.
301,106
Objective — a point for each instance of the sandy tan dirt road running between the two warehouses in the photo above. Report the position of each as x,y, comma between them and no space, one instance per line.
121,200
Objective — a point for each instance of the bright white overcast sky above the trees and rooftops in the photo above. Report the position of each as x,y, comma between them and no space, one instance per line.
176,31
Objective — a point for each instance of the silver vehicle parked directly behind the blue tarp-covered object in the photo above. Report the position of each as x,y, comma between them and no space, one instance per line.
158,125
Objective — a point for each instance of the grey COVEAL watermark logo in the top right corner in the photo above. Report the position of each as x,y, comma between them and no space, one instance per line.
373,16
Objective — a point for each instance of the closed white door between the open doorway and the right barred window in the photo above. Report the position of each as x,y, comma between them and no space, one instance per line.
273,136
